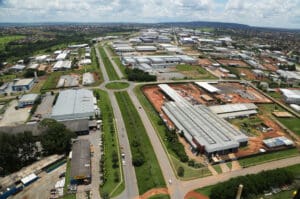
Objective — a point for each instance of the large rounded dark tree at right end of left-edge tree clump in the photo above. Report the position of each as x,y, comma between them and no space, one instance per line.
56,138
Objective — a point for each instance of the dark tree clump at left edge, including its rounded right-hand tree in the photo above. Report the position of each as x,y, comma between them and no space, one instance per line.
19,150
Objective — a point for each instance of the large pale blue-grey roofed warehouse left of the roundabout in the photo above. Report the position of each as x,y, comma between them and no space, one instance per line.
73,105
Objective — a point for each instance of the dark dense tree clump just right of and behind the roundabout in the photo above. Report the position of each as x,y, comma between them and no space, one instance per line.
139,75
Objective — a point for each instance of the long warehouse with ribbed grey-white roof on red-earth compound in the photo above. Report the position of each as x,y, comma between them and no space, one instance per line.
204,130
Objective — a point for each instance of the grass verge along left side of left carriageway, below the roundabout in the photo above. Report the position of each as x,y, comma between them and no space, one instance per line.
111,145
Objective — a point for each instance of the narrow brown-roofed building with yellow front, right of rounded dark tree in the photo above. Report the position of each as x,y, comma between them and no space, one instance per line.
81,162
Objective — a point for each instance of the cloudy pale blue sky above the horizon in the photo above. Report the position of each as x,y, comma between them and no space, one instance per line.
264,13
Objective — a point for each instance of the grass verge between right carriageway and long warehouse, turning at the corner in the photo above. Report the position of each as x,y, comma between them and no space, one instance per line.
189,173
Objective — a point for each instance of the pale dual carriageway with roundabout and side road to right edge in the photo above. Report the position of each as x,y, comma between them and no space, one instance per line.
177,188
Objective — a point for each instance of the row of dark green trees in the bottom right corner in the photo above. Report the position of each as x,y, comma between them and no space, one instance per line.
254,184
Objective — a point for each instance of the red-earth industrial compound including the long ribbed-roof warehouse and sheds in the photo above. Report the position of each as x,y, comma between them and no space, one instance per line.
241,107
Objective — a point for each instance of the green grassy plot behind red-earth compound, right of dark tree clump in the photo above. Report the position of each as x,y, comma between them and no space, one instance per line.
194,72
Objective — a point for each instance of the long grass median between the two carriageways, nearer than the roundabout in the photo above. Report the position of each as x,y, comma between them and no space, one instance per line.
149,174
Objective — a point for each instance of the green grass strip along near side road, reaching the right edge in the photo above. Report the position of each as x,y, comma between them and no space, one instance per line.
263,158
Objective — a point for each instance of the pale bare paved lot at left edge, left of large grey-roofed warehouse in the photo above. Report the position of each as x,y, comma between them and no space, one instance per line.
13,117
